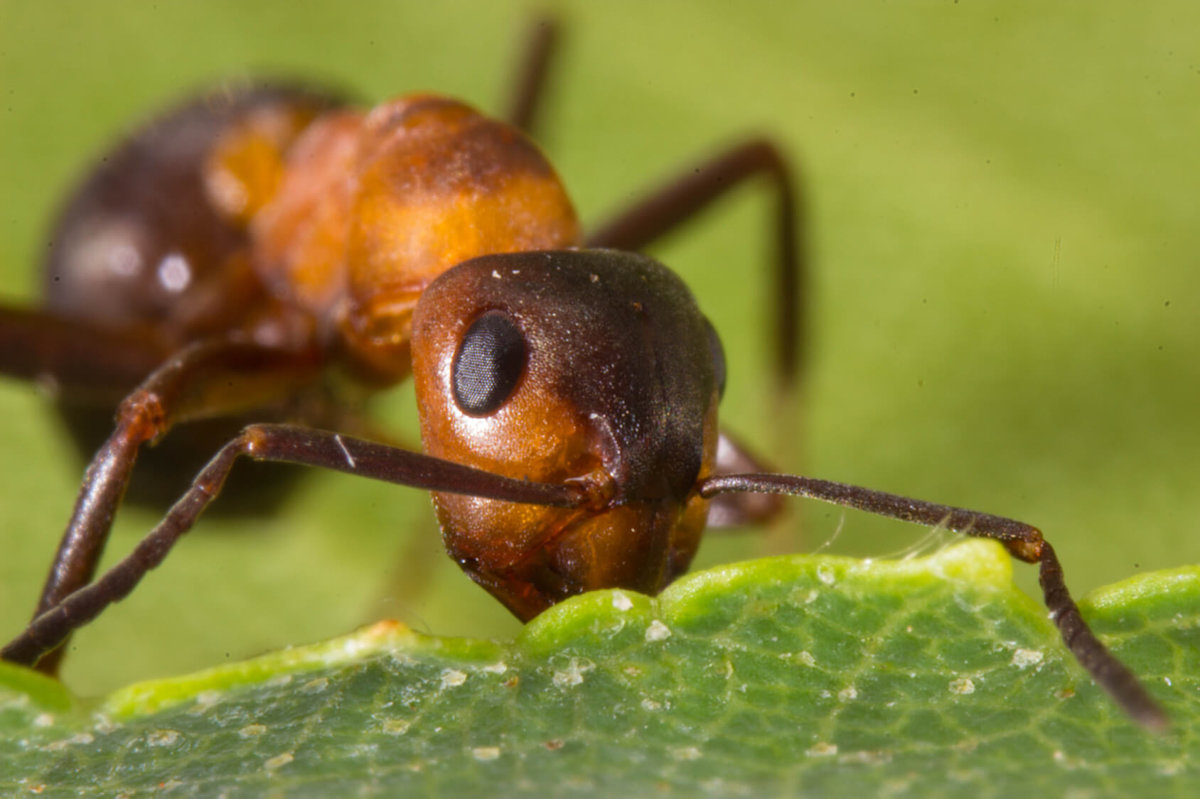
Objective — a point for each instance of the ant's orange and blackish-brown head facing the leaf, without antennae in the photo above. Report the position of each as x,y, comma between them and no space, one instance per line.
592,367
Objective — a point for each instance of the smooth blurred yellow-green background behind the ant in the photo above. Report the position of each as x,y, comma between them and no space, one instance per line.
1005,293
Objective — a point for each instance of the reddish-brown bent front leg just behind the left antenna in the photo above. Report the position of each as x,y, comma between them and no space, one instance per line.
211,379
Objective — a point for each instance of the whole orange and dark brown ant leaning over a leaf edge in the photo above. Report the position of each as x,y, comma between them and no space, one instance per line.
253,254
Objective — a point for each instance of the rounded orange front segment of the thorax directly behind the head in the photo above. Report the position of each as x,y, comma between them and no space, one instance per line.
437,184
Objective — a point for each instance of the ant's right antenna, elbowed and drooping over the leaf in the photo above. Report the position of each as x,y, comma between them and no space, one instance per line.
1024,542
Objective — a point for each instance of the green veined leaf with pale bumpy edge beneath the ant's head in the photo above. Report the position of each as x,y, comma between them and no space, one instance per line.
811,676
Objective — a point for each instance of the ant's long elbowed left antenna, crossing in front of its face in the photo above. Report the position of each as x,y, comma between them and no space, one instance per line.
289,444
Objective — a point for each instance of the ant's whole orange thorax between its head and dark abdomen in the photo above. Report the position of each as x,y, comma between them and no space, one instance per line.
362,212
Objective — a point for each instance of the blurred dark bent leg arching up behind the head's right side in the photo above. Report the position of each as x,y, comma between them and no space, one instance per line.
693,191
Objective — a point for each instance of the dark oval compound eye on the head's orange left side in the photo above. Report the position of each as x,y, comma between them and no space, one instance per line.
489,364
